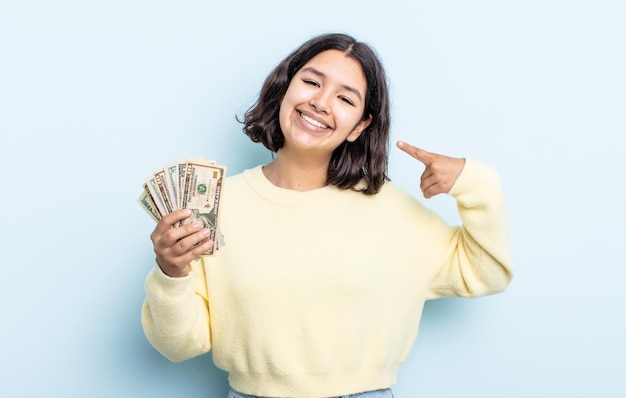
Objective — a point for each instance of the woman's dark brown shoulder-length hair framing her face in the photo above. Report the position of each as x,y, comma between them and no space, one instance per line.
365,159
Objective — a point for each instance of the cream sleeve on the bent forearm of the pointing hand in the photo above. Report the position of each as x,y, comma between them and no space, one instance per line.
477,260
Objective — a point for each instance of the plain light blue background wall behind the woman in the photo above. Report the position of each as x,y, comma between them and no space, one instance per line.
96,95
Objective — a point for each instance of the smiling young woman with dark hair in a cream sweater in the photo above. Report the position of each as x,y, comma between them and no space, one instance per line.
319,287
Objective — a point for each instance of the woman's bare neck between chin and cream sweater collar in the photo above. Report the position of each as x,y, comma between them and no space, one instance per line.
297,173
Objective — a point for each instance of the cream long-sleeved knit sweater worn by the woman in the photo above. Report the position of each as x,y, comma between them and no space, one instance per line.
320,293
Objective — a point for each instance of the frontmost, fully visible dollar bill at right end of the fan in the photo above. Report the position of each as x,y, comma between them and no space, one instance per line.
201,193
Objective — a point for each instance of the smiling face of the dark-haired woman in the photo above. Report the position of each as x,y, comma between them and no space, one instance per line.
324,104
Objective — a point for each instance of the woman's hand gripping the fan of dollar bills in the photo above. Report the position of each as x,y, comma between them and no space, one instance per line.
176,247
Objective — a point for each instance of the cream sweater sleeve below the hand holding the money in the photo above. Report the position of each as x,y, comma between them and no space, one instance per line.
175,315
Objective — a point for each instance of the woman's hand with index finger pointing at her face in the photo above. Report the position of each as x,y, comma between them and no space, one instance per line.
441,171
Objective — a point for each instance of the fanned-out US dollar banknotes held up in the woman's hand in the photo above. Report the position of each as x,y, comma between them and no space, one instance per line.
194,184
